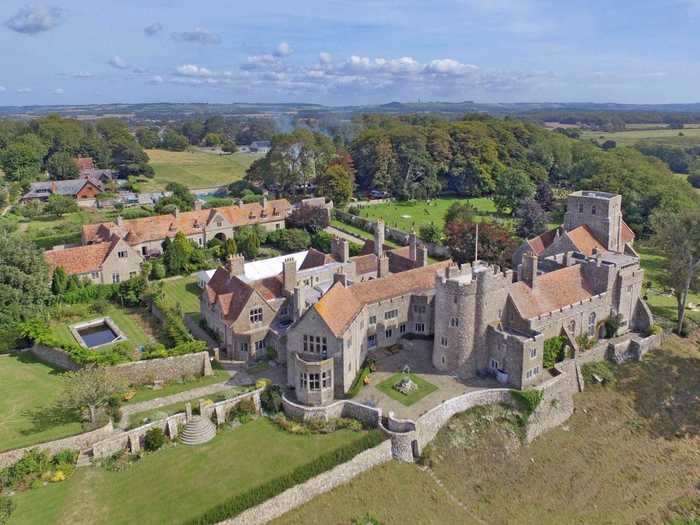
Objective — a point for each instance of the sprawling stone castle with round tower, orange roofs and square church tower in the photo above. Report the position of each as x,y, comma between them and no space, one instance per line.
480,319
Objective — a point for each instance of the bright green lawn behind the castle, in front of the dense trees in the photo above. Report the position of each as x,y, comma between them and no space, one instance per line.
414,214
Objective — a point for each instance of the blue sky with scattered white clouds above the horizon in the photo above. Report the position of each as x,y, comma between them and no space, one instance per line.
343,52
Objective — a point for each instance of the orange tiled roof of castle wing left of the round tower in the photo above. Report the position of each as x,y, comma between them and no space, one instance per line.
340,307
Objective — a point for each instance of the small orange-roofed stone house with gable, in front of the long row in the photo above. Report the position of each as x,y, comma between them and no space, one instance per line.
107,262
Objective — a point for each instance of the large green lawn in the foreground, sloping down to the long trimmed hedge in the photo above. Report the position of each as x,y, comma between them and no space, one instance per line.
178,483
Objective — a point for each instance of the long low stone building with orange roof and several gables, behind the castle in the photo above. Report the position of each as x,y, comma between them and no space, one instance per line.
146,235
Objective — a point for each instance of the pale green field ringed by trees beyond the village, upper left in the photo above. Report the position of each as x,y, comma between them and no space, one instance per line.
196,169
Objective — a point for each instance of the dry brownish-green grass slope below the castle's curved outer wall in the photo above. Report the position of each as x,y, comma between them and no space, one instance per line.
629,454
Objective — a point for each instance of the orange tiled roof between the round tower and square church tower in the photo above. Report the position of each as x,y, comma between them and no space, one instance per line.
552,291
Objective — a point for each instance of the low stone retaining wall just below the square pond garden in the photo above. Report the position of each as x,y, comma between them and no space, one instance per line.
164,369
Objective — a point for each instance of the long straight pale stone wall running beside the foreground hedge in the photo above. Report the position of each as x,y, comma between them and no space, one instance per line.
305,492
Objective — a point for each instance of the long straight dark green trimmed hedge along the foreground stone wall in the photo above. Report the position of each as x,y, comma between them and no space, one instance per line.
272,488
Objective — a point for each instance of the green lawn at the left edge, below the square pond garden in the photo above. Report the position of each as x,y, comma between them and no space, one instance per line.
26,387
